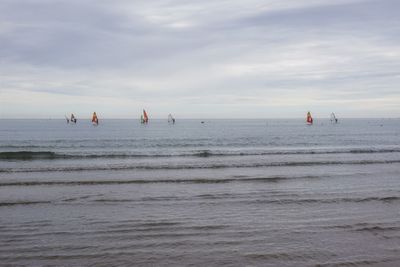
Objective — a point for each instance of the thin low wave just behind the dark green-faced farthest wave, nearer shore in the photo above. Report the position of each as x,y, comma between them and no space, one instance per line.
194,166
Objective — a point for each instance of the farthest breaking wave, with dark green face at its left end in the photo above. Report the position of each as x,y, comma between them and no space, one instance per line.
51,155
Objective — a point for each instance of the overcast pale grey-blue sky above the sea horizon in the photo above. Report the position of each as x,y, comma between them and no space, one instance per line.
199,58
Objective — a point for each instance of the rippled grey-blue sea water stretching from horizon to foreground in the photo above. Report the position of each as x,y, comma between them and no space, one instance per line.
222,193
